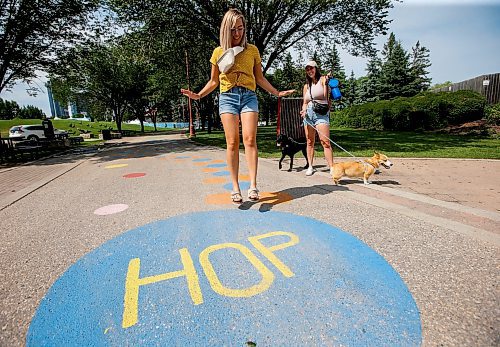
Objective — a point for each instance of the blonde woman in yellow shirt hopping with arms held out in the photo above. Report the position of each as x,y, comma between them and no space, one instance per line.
238,100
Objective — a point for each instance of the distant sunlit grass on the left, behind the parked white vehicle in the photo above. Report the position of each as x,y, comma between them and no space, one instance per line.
73,126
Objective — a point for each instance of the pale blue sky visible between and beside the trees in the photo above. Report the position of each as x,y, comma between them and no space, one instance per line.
463,37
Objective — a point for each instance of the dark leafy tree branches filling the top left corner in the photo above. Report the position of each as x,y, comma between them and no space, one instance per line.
33,32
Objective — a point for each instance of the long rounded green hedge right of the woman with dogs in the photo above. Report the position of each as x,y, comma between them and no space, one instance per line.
425,111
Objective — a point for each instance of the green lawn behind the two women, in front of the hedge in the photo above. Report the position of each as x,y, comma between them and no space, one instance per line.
362,143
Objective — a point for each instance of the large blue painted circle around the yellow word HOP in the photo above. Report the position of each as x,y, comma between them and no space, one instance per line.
342,292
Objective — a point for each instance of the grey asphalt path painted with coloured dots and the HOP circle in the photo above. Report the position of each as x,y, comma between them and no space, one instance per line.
139,244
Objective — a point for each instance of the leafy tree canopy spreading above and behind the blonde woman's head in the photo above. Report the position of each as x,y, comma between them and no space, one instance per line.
274,26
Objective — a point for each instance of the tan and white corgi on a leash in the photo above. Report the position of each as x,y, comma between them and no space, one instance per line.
364,168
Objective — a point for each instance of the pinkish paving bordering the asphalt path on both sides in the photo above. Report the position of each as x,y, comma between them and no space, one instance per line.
462,190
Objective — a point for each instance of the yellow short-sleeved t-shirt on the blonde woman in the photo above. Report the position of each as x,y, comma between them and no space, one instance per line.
241,73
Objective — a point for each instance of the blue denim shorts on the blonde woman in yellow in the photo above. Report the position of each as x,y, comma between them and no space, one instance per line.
238,100
